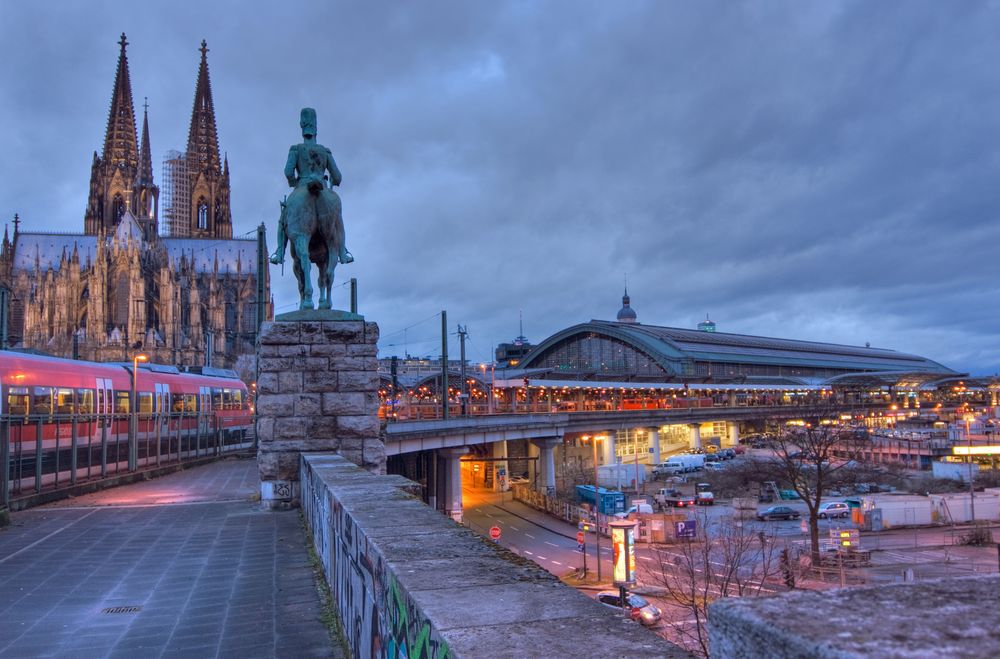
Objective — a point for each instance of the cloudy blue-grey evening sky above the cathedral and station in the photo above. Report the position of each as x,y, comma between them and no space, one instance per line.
826,171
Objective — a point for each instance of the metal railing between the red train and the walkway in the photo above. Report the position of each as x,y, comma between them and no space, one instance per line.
52,452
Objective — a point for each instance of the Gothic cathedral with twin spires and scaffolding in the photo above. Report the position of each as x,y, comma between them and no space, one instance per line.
184,293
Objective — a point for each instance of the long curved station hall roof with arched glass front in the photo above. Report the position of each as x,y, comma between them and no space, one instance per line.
632,352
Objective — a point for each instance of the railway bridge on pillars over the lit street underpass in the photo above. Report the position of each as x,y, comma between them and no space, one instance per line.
432,451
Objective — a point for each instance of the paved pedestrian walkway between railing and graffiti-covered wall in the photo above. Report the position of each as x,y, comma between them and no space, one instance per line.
186,565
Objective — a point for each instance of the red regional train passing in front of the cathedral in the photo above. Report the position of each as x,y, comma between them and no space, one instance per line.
78,412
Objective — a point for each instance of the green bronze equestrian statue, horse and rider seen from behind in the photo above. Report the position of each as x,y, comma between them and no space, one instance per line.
311,216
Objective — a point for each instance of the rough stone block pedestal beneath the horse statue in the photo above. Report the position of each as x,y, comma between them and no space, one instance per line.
317,392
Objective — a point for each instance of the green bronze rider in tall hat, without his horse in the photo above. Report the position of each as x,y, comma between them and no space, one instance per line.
310,161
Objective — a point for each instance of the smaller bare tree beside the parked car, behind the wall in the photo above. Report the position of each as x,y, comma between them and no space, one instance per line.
725,559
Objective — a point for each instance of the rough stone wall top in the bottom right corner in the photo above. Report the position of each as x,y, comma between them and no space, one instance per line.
943,618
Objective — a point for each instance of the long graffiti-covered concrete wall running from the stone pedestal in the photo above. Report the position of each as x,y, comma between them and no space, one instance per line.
408,581
